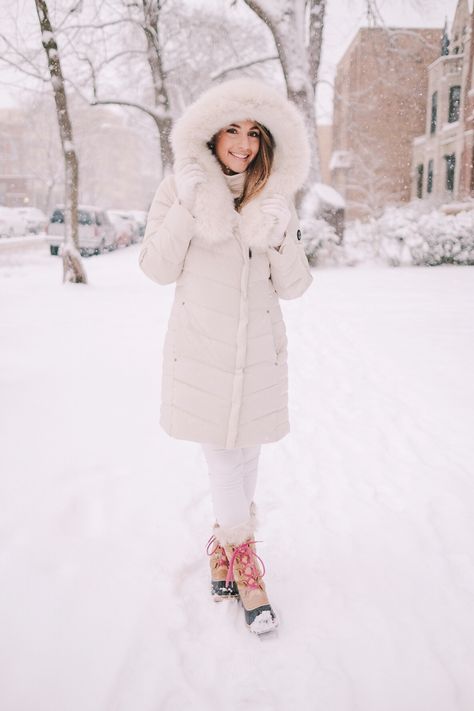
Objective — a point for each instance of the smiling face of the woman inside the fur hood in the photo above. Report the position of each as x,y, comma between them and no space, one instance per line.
237,145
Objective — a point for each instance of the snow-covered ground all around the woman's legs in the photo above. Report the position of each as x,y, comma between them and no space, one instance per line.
367,507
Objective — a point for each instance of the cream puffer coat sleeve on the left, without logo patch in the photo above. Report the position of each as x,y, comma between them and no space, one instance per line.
167,236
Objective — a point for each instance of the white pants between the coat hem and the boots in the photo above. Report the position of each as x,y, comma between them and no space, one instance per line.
233,478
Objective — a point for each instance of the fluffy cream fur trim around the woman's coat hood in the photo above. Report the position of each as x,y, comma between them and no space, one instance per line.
240,99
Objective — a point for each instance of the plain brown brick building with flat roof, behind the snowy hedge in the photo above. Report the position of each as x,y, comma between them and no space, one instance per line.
379,107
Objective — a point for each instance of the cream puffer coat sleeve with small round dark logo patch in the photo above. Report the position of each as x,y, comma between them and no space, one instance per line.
289,268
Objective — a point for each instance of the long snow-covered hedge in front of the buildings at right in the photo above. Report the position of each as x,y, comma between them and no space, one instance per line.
401,236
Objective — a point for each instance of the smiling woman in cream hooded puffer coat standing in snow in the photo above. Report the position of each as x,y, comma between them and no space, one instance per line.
224,228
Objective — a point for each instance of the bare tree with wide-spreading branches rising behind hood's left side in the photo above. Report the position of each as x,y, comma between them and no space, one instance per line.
180,58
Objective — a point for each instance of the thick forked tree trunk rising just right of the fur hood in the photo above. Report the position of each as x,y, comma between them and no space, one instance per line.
297,28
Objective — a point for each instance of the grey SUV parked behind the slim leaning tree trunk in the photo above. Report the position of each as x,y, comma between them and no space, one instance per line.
96,233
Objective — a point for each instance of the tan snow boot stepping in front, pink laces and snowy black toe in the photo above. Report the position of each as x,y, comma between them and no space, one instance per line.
244,570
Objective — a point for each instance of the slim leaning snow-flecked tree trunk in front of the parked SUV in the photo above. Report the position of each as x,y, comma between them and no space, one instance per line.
73,270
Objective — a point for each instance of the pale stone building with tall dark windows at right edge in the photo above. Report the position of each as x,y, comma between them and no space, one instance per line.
443,155
